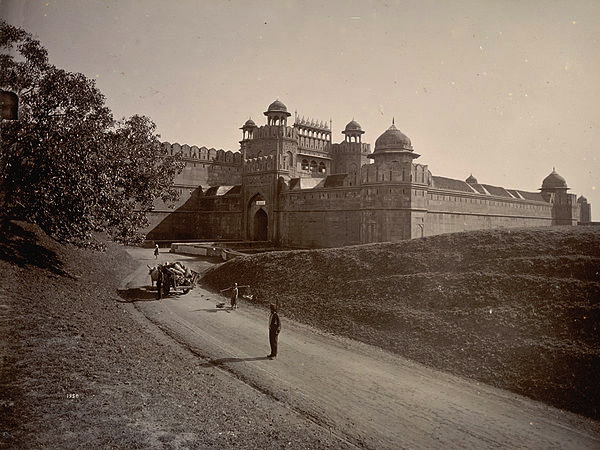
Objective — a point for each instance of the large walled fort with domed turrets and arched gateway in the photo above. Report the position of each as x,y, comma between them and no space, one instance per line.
292,186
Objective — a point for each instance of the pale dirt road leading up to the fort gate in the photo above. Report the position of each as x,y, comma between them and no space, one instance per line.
368,397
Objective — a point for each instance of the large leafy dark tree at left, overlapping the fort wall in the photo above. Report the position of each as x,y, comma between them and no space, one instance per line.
66,164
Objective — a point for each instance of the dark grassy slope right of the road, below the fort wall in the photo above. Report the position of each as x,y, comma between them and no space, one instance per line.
517,309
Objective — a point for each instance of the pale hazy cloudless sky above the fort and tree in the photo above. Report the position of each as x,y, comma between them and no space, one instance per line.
504,90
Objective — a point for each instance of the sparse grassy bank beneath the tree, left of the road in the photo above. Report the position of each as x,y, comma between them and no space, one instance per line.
79,372
